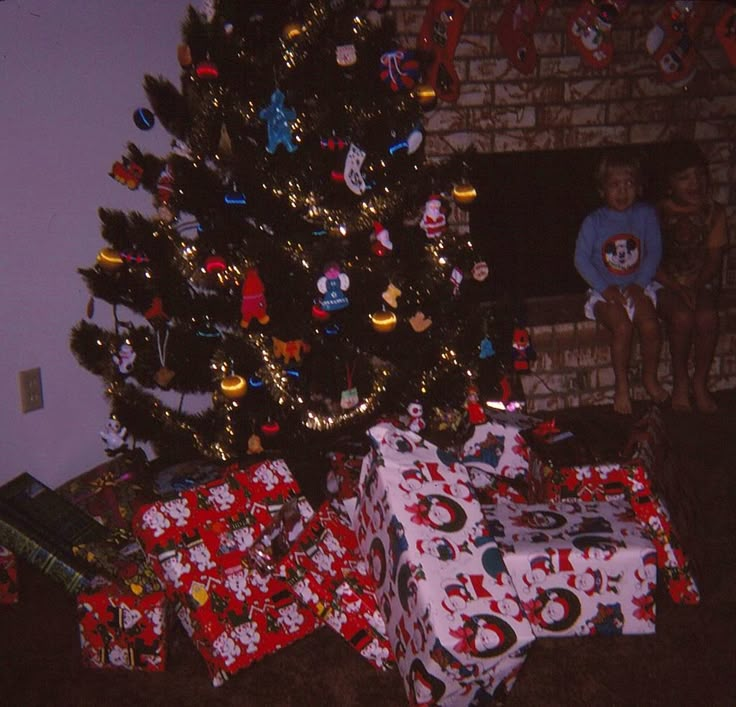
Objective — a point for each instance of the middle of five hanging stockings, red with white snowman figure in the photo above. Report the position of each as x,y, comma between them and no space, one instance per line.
589,29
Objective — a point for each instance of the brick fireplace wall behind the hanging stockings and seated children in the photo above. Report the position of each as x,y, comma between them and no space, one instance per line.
564,104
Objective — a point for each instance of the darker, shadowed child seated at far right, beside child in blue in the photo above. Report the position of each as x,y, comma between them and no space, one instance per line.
694,238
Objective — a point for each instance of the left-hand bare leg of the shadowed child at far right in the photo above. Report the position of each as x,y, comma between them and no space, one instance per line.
680,321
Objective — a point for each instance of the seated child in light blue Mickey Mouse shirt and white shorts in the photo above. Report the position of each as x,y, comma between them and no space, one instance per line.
617,253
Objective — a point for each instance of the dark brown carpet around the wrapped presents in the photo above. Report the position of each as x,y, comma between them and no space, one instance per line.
691,660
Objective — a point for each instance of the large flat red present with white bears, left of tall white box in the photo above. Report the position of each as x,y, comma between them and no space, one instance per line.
199,543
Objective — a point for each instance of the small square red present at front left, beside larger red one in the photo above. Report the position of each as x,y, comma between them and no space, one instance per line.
118,629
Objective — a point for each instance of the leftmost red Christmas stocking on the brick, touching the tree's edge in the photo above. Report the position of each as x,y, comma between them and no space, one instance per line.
439,35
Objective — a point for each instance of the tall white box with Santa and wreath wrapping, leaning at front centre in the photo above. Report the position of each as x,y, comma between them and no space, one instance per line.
437,572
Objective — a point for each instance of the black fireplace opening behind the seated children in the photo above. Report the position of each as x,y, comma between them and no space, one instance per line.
529,208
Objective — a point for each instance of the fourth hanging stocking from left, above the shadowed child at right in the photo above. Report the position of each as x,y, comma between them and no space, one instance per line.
672,39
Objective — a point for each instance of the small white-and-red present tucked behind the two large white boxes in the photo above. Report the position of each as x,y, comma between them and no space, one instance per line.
497,455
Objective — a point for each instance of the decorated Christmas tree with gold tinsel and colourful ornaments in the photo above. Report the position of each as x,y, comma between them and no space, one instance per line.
294,273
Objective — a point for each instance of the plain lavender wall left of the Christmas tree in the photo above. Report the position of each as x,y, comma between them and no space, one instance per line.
71,74
